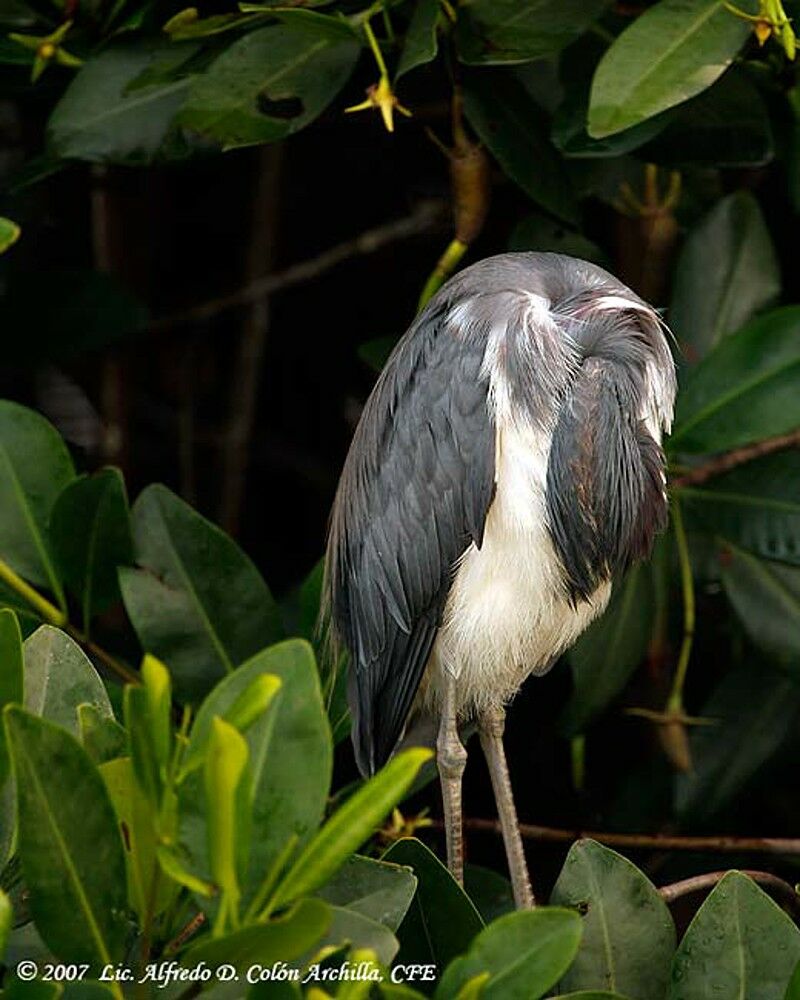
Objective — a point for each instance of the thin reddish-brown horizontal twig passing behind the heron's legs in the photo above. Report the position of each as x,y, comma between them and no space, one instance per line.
656,841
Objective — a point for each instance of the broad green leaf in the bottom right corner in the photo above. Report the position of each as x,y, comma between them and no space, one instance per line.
739,944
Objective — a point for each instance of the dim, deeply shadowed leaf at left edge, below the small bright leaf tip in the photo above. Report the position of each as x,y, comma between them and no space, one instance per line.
83,310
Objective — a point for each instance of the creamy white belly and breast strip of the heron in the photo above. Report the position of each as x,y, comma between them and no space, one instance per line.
507,614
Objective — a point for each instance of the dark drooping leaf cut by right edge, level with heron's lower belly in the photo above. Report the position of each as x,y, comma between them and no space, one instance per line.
766,597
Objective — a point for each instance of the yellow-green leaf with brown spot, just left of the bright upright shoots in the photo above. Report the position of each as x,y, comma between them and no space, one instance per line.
136,818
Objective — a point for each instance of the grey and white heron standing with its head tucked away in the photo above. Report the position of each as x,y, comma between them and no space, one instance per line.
507,465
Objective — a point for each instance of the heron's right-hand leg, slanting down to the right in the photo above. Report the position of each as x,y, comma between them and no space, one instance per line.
491,724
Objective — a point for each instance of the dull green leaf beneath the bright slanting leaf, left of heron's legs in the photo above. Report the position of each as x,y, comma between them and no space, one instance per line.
375,889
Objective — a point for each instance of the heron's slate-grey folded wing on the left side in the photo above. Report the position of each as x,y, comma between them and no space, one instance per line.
414,494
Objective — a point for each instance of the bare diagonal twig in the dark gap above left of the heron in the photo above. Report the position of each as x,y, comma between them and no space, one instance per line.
427,216
